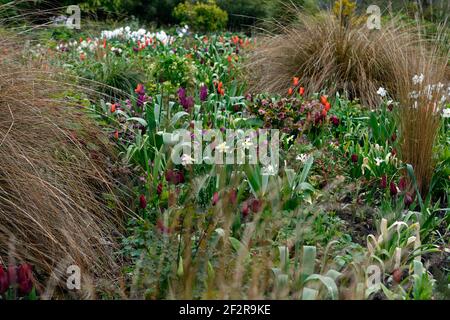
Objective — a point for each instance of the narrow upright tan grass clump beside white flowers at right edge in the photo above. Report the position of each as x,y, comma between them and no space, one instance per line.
421,109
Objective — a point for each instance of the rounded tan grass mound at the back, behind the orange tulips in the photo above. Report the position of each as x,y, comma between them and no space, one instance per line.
329,55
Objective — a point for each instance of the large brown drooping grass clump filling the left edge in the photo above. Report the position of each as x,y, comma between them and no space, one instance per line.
57,202
